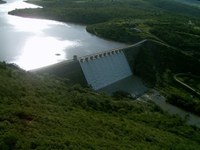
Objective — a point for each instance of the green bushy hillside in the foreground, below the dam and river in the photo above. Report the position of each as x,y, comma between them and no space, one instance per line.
38,112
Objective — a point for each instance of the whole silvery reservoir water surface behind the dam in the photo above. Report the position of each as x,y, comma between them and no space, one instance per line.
34,43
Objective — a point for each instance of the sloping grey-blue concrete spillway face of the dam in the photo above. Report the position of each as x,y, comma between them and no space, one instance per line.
104,69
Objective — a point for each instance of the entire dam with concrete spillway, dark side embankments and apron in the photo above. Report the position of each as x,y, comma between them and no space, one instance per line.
100,70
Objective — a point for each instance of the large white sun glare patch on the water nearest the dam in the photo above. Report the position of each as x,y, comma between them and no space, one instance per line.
42,51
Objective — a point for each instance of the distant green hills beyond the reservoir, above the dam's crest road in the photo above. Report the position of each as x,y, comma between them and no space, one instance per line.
170,22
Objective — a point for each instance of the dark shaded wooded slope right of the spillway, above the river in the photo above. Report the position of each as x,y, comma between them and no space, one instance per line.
157,64
